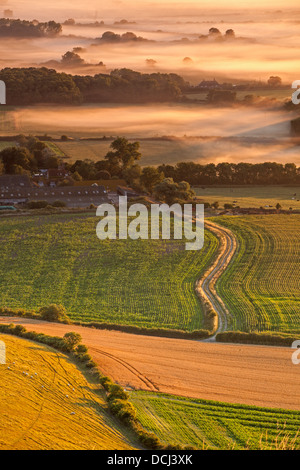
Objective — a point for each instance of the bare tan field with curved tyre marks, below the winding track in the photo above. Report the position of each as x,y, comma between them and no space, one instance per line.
257,375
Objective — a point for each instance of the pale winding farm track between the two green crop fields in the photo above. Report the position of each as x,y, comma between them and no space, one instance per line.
206,286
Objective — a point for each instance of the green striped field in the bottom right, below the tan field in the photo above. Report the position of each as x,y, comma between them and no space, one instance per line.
215,425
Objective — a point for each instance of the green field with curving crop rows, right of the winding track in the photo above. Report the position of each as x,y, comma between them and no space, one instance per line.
261,285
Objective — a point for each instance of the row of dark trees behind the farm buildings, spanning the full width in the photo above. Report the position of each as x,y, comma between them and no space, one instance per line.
122,162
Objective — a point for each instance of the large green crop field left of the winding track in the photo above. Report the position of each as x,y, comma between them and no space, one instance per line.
59,259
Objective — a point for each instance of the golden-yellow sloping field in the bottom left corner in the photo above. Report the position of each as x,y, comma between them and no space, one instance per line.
46,403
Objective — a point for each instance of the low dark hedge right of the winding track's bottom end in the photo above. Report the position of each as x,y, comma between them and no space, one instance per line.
268,339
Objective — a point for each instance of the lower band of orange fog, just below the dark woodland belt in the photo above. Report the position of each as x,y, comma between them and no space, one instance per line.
195,133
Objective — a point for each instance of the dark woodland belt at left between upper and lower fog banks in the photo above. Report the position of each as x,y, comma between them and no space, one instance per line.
42,85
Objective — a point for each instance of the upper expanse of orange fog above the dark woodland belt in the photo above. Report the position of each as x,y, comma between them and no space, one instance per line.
266,41
